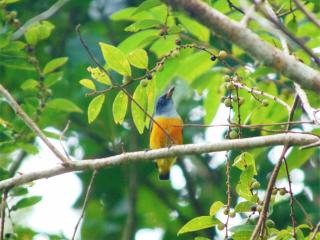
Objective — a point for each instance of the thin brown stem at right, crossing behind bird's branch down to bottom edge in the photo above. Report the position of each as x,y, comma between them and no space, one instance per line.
263,215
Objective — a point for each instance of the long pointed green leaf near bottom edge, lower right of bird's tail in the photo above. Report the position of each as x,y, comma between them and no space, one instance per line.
198,223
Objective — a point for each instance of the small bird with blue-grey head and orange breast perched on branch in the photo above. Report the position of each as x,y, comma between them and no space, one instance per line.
168,118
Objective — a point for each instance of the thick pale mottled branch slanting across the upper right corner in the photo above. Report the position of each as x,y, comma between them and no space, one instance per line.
251,43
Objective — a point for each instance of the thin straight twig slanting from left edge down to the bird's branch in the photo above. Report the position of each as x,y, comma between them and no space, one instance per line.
31,124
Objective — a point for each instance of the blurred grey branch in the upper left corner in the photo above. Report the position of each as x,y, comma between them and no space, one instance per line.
42,16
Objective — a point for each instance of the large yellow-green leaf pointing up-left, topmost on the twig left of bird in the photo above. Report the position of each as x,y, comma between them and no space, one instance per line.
115,59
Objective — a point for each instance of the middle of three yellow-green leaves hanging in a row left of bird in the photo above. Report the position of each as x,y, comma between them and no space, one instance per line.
119,107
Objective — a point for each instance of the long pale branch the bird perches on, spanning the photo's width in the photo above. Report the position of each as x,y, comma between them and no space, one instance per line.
292,139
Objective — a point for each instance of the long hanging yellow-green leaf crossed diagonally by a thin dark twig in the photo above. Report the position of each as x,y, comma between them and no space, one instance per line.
140,95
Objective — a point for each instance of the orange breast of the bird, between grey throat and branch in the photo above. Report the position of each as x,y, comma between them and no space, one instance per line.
159,139
